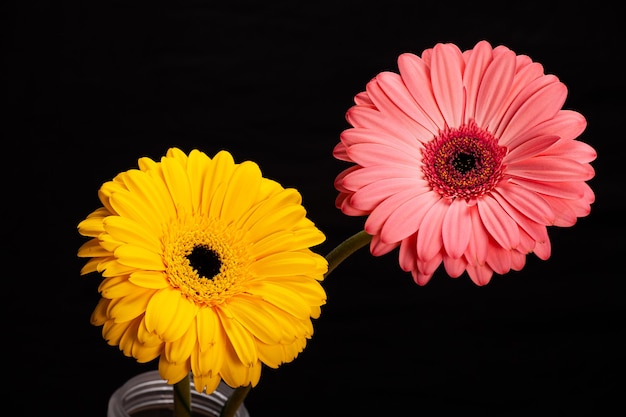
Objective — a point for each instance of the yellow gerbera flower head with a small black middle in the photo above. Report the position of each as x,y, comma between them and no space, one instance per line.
206,265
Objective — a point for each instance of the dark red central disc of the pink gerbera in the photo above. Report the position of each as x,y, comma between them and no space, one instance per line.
465,162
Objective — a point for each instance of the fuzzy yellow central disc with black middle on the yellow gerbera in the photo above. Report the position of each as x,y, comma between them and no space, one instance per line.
206,260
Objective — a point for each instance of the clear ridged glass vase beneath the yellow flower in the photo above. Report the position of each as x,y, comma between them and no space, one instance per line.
148,395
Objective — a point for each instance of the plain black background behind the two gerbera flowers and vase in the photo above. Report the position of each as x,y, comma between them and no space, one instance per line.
92,86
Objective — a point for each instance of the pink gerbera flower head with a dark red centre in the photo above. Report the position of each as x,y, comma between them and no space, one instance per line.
464,158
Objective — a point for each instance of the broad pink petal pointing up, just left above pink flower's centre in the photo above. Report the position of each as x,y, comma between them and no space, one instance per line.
447,80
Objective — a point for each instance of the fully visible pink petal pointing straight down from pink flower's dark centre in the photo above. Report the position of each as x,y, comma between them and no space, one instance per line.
456,228
